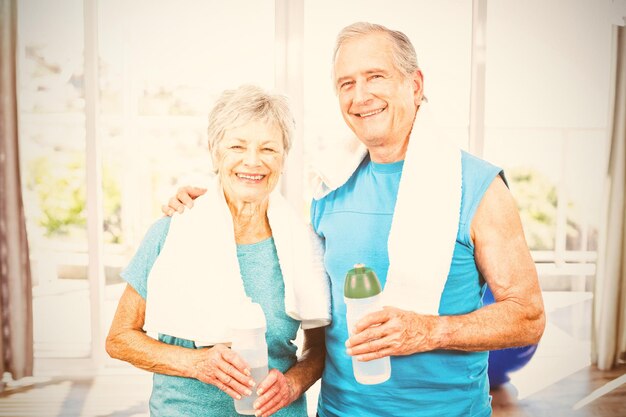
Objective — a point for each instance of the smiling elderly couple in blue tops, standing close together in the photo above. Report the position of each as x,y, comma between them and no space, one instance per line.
436,223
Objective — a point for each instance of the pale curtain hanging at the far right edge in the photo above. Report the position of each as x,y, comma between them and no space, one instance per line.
609,341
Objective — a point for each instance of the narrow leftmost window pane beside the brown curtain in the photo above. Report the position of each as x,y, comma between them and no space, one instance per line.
52,140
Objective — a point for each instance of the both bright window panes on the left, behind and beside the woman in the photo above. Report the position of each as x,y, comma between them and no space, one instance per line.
160,68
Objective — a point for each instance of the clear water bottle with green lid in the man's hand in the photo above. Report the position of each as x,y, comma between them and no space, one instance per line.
363,295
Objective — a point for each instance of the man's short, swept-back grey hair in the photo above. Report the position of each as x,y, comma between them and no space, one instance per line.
402,51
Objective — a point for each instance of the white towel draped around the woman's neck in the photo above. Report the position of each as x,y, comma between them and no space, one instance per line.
195,283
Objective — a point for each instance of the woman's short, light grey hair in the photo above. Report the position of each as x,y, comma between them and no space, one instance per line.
245,104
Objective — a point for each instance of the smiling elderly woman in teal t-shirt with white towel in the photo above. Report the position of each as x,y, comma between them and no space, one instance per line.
190,272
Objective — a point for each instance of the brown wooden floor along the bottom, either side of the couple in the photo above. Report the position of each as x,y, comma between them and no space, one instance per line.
126,396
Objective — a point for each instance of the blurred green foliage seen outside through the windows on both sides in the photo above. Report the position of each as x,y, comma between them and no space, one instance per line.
60,190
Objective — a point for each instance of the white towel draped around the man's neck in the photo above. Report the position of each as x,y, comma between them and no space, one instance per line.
426,216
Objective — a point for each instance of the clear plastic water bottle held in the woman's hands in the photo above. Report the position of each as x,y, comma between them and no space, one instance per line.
248,335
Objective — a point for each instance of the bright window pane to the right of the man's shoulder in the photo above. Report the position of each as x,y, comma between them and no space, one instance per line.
546,121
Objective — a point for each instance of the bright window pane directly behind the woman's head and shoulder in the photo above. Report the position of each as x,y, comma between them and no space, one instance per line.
161,68
